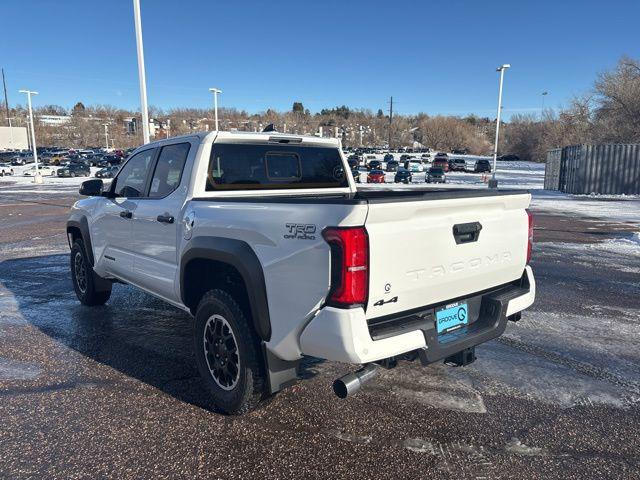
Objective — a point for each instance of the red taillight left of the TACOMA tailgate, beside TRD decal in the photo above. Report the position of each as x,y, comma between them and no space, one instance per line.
349,265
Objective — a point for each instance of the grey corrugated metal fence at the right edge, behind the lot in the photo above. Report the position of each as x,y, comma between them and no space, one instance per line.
584,169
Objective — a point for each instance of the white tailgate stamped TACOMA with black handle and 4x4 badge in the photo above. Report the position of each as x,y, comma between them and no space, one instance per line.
428,251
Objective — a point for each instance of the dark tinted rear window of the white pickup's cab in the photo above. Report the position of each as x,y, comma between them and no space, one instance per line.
235,166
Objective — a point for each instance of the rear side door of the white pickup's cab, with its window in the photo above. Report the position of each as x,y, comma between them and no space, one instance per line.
156,222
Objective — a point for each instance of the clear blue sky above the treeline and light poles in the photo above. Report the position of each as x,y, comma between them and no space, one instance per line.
432,56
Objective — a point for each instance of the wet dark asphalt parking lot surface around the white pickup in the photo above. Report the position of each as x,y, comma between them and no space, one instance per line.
113,391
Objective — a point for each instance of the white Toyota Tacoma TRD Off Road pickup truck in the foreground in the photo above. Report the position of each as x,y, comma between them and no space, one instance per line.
266,240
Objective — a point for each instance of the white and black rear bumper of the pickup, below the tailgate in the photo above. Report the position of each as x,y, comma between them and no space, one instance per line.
344,335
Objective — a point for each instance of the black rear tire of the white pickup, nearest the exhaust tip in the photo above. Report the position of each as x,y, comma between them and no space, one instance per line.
250,387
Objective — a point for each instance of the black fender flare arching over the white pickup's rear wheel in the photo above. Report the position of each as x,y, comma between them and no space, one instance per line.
242,257
